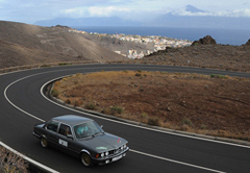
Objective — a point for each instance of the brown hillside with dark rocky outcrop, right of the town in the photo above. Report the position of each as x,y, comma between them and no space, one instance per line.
204,53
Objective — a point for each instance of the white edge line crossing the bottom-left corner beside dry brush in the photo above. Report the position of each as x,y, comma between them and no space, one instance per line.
28,159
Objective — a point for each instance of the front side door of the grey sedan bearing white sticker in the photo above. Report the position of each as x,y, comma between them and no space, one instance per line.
66,140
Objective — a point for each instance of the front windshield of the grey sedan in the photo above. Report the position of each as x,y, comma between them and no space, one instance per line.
88,129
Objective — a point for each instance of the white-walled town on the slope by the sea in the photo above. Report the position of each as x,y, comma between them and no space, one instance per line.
159,43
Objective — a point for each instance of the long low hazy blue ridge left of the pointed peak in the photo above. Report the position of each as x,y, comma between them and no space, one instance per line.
92,21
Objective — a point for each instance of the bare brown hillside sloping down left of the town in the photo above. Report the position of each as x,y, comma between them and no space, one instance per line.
23,44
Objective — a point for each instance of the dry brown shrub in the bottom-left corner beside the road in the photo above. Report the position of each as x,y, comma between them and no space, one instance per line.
11,163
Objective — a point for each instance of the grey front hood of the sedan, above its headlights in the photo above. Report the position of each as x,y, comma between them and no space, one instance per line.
104,142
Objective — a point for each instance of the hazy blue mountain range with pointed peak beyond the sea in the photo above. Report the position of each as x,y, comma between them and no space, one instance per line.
194,17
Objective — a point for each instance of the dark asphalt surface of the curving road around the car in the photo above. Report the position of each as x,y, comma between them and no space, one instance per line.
151,151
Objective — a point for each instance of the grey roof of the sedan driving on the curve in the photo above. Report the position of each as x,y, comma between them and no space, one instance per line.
71,119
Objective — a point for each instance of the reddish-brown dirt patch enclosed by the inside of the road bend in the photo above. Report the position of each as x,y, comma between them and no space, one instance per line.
217,105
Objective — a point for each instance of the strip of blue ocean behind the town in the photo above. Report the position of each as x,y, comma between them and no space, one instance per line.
222,36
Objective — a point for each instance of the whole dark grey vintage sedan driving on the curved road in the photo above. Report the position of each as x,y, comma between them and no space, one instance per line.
81,137
